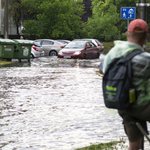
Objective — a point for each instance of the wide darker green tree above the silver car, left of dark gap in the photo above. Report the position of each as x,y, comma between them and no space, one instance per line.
54,19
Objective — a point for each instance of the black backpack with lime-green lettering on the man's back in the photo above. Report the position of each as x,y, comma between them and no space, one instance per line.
118,91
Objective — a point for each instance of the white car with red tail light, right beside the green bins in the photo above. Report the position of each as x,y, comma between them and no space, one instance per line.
36,50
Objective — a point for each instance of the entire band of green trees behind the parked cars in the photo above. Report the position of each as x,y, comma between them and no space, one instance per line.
62,19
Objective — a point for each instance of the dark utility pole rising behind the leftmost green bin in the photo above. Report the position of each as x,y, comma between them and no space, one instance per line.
6,19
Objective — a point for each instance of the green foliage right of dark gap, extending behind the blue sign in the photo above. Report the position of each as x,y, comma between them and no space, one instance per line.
105,23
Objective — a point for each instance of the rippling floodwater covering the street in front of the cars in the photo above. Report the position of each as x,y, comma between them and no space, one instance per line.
55,104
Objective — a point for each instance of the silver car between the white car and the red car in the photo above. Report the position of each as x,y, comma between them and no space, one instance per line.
50,47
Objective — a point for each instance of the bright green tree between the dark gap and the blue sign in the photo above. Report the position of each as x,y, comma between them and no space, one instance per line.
104,20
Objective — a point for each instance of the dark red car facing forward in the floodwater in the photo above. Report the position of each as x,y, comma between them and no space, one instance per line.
80,49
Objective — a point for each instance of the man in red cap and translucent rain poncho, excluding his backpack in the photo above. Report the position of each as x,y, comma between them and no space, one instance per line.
137,34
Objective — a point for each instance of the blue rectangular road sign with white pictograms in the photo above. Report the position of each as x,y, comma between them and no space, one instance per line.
128,12
